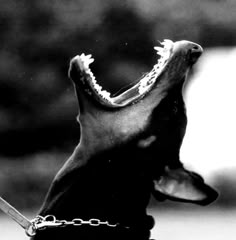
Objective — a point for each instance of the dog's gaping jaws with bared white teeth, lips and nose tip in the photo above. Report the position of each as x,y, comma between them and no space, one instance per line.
173,59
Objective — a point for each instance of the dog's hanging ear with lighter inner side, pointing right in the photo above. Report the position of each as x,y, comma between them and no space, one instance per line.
183,186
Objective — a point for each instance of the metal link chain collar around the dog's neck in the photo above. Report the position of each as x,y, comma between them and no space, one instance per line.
50,221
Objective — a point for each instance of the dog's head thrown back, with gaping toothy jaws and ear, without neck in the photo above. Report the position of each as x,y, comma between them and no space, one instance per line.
149,118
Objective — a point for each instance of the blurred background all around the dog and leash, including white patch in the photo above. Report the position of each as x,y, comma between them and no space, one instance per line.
38,108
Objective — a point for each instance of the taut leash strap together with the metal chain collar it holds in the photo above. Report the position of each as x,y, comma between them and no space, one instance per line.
40,223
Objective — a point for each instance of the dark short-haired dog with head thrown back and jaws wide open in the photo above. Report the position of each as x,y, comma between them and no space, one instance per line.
128,150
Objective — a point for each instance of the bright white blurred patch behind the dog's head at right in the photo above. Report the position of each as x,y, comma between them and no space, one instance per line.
210,141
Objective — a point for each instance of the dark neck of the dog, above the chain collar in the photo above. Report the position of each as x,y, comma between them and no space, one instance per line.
102,178
